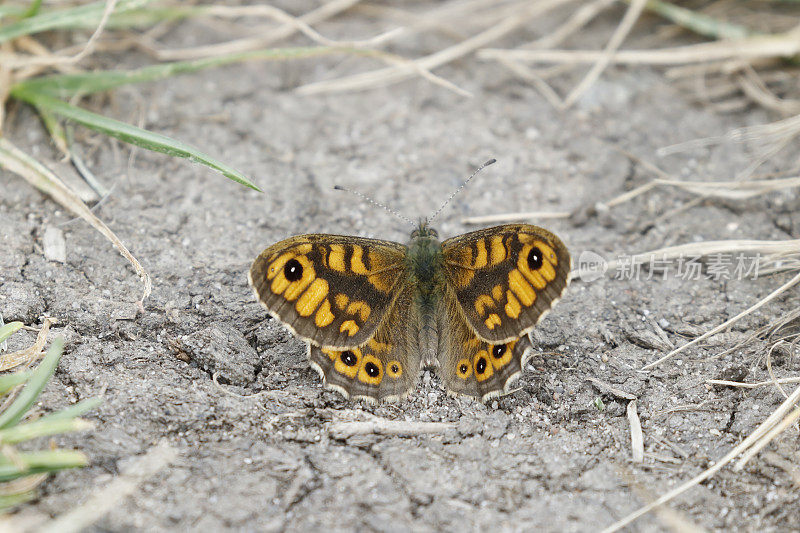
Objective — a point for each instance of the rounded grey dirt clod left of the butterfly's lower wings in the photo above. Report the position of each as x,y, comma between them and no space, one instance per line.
222,349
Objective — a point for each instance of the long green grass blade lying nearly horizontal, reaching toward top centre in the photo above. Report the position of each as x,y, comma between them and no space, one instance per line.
69,85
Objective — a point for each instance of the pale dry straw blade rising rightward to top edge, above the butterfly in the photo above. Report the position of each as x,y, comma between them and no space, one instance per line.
390,75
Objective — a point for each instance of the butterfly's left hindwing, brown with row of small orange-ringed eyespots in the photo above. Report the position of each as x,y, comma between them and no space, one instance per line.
386,367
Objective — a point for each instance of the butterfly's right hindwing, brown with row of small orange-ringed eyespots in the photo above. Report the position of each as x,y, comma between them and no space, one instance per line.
471,366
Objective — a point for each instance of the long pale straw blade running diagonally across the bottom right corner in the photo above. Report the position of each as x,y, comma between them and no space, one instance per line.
777,419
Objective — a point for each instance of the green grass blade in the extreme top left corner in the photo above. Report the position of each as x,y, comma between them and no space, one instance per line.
75,17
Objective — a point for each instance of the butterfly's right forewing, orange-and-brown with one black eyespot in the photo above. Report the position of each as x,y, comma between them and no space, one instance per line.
506,278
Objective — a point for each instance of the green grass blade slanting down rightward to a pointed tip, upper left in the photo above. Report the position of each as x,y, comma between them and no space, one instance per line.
129,134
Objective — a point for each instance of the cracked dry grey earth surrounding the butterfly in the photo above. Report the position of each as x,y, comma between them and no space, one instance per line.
260,451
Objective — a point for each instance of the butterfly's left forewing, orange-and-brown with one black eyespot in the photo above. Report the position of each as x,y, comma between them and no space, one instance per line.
331,290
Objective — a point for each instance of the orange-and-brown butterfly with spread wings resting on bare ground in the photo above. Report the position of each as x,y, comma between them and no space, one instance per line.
375,313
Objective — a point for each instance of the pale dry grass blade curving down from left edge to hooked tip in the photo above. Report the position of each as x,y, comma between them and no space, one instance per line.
20,163
